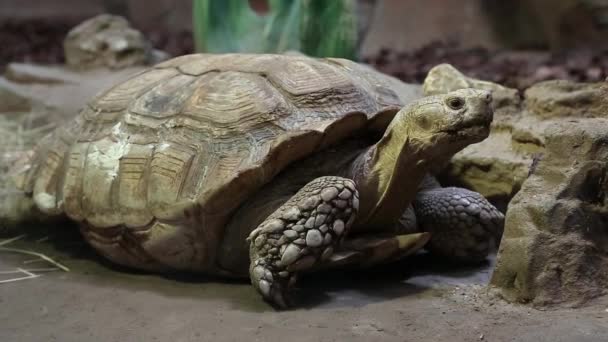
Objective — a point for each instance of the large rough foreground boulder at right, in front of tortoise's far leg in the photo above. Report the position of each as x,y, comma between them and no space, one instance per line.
555,245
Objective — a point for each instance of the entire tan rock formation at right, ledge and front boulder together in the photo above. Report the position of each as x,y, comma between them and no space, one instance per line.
550,151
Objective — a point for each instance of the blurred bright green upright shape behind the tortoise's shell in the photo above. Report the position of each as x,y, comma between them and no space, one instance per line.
314,27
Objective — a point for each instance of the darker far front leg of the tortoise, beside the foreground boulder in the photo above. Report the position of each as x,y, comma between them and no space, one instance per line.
464,226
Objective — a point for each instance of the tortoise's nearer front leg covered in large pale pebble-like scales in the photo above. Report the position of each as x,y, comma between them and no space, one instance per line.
300,234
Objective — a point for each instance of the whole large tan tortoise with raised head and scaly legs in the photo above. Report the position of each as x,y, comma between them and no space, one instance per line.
265,166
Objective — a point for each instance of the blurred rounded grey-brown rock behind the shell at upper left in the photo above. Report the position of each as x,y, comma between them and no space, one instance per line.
107,41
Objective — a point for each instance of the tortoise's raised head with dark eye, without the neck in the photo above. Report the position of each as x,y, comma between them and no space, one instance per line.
447,123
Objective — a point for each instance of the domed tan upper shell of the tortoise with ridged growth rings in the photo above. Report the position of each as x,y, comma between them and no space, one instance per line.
193,137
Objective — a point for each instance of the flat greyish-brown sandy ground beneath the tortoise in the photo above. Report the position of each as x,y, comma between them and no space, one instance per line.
416,300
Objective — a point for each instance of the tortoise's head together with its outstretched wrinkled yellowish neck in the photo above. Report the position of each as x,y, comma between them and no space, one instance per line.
420,139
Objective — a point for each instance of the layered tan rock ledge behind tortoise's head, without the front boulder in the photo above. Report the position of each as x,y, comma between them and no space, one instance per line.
498,166
